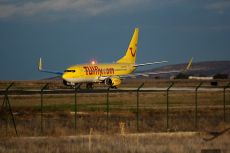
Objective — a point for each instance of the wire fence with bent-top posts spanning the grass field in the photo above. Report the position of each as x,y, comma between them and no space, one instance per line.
30,112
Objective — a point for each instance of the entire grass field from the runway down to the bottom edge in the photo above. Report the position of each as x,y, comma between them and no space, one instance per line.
59,120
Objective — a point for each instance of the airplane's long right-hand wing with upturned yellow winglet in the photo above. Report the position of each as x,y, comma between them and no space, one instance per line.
133,75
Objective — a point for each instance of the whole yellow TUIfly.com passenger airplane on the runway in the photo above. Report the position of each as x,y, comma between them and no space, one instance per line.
109,74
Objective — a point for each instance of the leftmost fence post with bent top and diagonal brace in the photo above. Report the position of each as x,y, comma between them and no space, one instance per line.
6,103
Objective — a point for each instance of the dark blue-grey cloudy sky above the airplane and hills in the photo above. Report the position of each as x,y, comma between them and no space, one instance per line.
69,32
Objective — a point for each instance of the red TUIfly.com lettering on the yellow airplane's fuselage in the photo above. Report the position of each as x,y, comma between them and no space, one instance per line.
95,70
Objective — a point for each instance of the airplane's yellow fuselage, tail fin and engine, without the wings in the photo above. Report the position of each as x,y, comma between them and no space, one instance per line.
87,72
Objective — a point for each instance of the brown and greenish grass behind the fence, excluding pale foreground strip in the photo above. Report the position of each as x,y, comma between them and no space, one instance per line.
91,108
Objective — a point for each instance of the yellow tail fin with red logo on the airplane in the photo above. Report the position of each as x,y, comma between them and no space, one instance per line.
130,56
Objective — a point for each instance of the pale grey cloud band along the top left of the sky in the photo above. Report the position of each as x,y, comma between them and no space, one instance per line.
78,7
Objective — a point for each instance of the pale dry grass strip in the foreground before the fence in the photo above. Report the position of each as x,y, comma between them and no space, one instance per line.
179,142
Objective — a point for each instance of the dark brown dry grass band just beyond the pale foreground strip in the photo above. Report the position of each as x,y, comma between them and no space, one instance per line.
62,123
